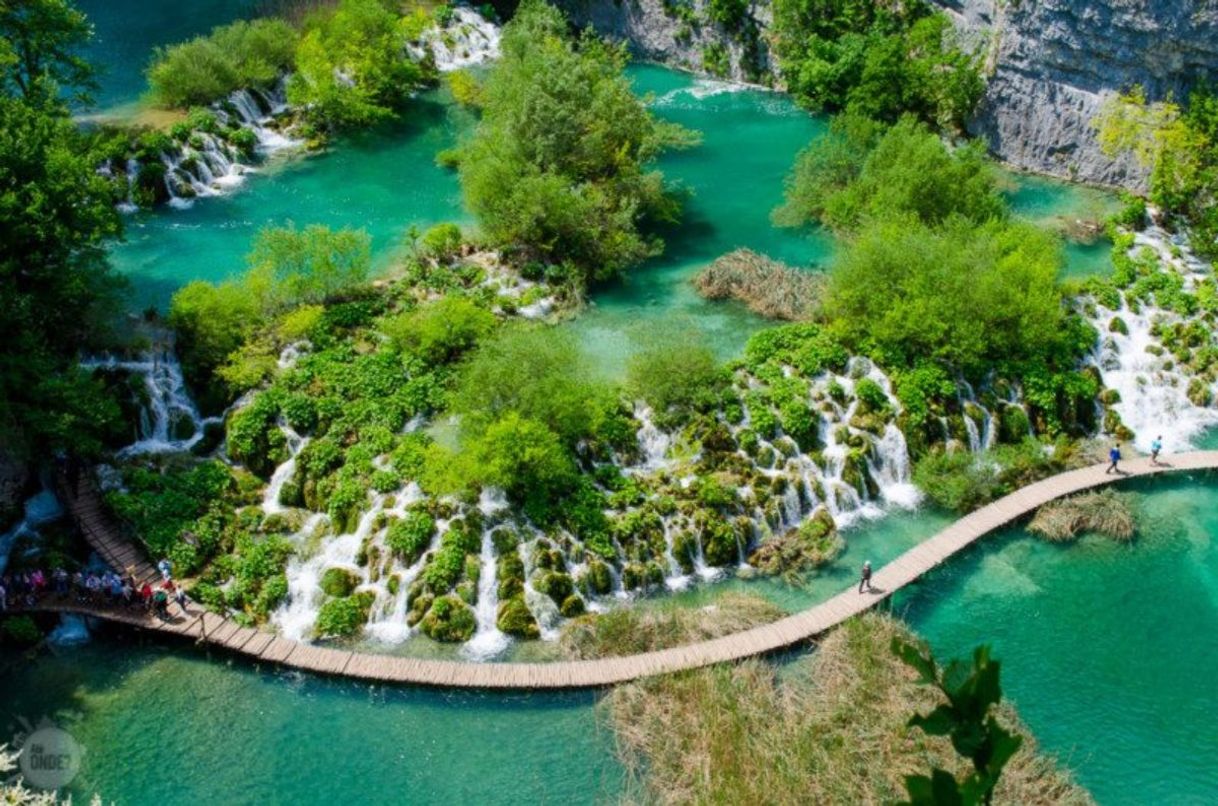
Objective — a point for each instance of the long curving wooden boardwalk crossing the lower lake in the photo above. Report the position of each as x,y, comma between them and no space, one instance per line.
107,539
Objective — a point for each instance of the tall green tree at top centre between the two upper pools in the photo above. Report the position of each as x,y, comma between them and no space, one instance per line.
558,164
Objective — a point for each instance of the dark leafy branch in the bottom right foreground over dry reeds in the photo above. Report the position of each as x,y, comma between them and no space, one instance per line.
973,692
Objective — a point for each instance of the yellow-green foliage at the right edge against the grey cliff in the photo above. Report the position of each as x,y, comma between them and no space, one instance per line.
1181,149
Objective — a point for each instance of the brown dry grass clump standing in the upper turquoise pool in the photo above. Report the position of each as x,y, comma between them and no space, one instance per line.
767,287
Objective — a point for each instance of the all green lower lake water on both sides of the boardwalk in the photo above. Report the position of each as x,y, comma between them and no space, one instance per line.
1108,652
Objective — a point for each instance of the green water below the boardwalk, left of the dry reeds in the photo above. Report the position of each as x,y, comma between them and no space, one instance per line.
172,725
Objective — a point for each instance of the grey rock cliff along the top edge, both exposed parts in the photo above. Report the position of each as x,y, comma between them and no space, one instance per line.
1052,65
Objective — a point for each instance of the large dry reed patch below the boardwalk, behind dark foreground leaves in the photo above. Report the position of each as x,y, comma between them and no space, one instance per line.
834,731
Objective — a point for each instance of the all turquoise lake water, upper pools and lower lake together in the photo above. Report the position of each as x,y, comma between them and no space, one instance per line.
1107,648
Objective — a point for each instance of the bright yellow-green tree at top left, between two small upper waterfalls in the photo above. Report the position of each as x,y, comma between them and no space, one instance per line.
353,68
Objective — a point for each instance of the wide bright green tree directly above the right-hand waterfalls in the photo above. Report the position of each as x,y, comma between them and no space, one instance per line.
965,295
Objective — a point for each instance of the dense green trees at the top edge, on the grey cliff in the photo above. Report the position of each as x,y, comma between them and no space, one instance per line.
878,60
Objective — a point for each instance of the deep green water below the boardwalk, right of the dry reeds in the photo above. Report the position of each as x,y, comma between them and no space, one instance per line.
1109,651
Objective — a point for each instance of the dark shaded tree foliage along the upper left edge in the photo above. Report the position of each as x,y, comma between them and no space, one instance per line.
57,290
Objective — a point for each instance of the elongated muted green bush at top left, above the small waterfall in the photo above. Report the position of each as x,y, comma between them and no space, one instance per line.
237,57
